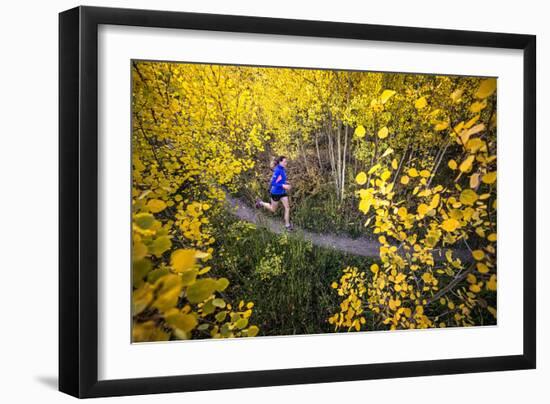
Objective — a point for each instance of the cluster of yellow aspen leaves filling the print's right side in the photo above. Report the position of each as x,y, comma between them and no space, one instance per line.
420,217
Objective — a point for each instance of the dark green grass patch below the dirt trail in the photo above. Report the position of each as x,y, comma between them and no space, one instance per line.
286,277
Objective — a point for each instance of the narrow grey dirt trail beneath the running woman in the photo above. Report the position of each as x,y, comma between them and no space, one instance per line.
358,246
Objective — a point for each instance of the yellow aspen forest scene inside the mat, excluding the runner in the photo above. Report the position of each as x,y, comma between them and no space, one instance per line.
393,201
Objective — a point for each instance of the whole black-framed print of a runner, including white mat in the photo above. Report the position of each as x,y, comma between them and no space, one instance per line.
243,197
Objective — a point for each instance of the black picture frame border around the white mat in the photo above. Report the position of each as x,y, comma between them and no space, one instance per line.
78,200
